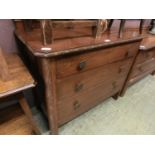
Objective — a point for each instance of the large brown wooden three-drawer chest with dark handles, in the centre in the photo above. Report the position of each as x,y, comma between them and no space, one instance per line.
79,73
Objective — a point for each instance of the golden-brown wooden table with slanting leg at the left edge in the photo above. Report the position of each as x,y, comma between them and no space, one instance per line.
14,79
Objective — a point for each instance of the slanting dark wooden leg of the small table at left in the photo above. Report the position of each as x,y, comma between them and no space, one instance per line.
24,105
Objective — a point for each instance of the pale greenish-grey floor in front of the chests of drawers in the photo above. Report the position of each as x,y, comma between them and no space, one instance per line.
132,114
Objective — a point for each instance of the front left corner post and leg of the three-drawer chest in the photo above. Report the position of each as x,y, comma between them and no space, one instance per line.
48,68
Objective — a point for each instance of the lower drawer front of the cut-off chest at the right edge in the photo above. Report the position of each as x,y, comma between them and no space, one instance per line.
147,66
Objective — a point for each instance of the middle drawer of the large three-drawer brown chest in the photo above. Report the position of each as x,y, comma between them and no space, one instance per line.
84,81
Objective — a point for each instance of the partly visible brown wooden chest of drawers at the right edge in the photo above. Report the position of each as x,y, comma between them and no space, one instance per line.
144,63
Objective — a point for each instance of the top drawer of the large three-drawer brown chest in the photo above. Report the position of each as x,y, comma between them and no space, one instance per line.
78,63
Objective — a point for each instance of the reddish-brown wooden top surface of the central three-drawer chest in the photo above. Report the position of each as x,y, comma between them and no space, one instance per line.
74,45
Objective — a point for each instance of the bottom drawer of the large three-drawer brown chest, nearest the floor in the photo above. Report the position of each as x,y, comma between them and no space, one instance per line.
71,107
